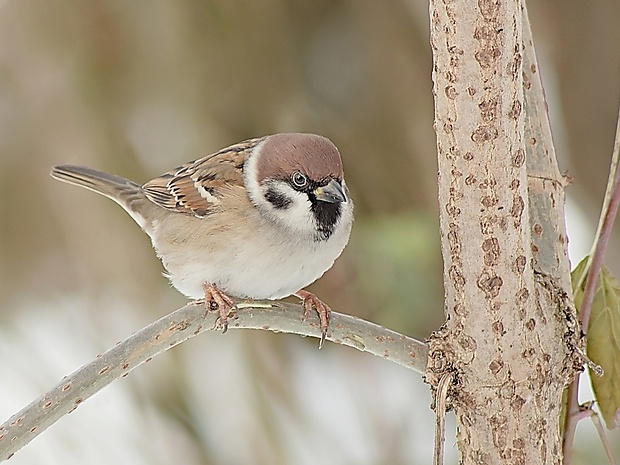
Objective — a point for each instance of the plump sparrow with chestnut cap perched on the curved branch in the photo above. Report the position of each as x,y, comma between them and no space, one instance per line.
261,219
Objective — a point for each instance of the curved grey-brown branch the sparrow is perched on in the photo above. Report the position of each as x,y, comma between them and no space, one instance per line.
181,325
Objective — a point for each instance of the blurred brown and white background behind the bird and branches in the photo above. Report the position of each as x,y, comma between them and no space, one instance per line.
136,88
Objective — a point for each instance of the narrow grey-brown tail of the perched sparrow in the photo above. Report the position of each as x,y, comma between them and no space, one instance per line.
126,193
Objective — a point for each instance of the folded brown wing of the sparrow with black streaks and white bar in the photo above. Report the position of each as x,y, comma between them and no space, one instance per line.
195,187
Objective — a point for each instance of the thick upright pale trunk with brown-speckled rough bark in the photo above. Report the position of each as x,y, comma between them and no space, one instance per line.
509,342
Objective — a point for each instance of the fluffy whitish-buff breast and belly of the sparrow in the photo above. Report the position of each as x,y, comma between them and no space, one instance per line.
244,255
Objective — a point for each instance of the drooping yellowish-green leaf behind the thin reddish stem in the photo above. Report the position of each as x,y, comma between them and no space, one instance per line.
603,343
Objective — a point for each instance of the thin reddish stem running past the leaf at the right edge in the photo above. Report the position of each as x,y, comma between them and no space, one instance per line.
601,240
